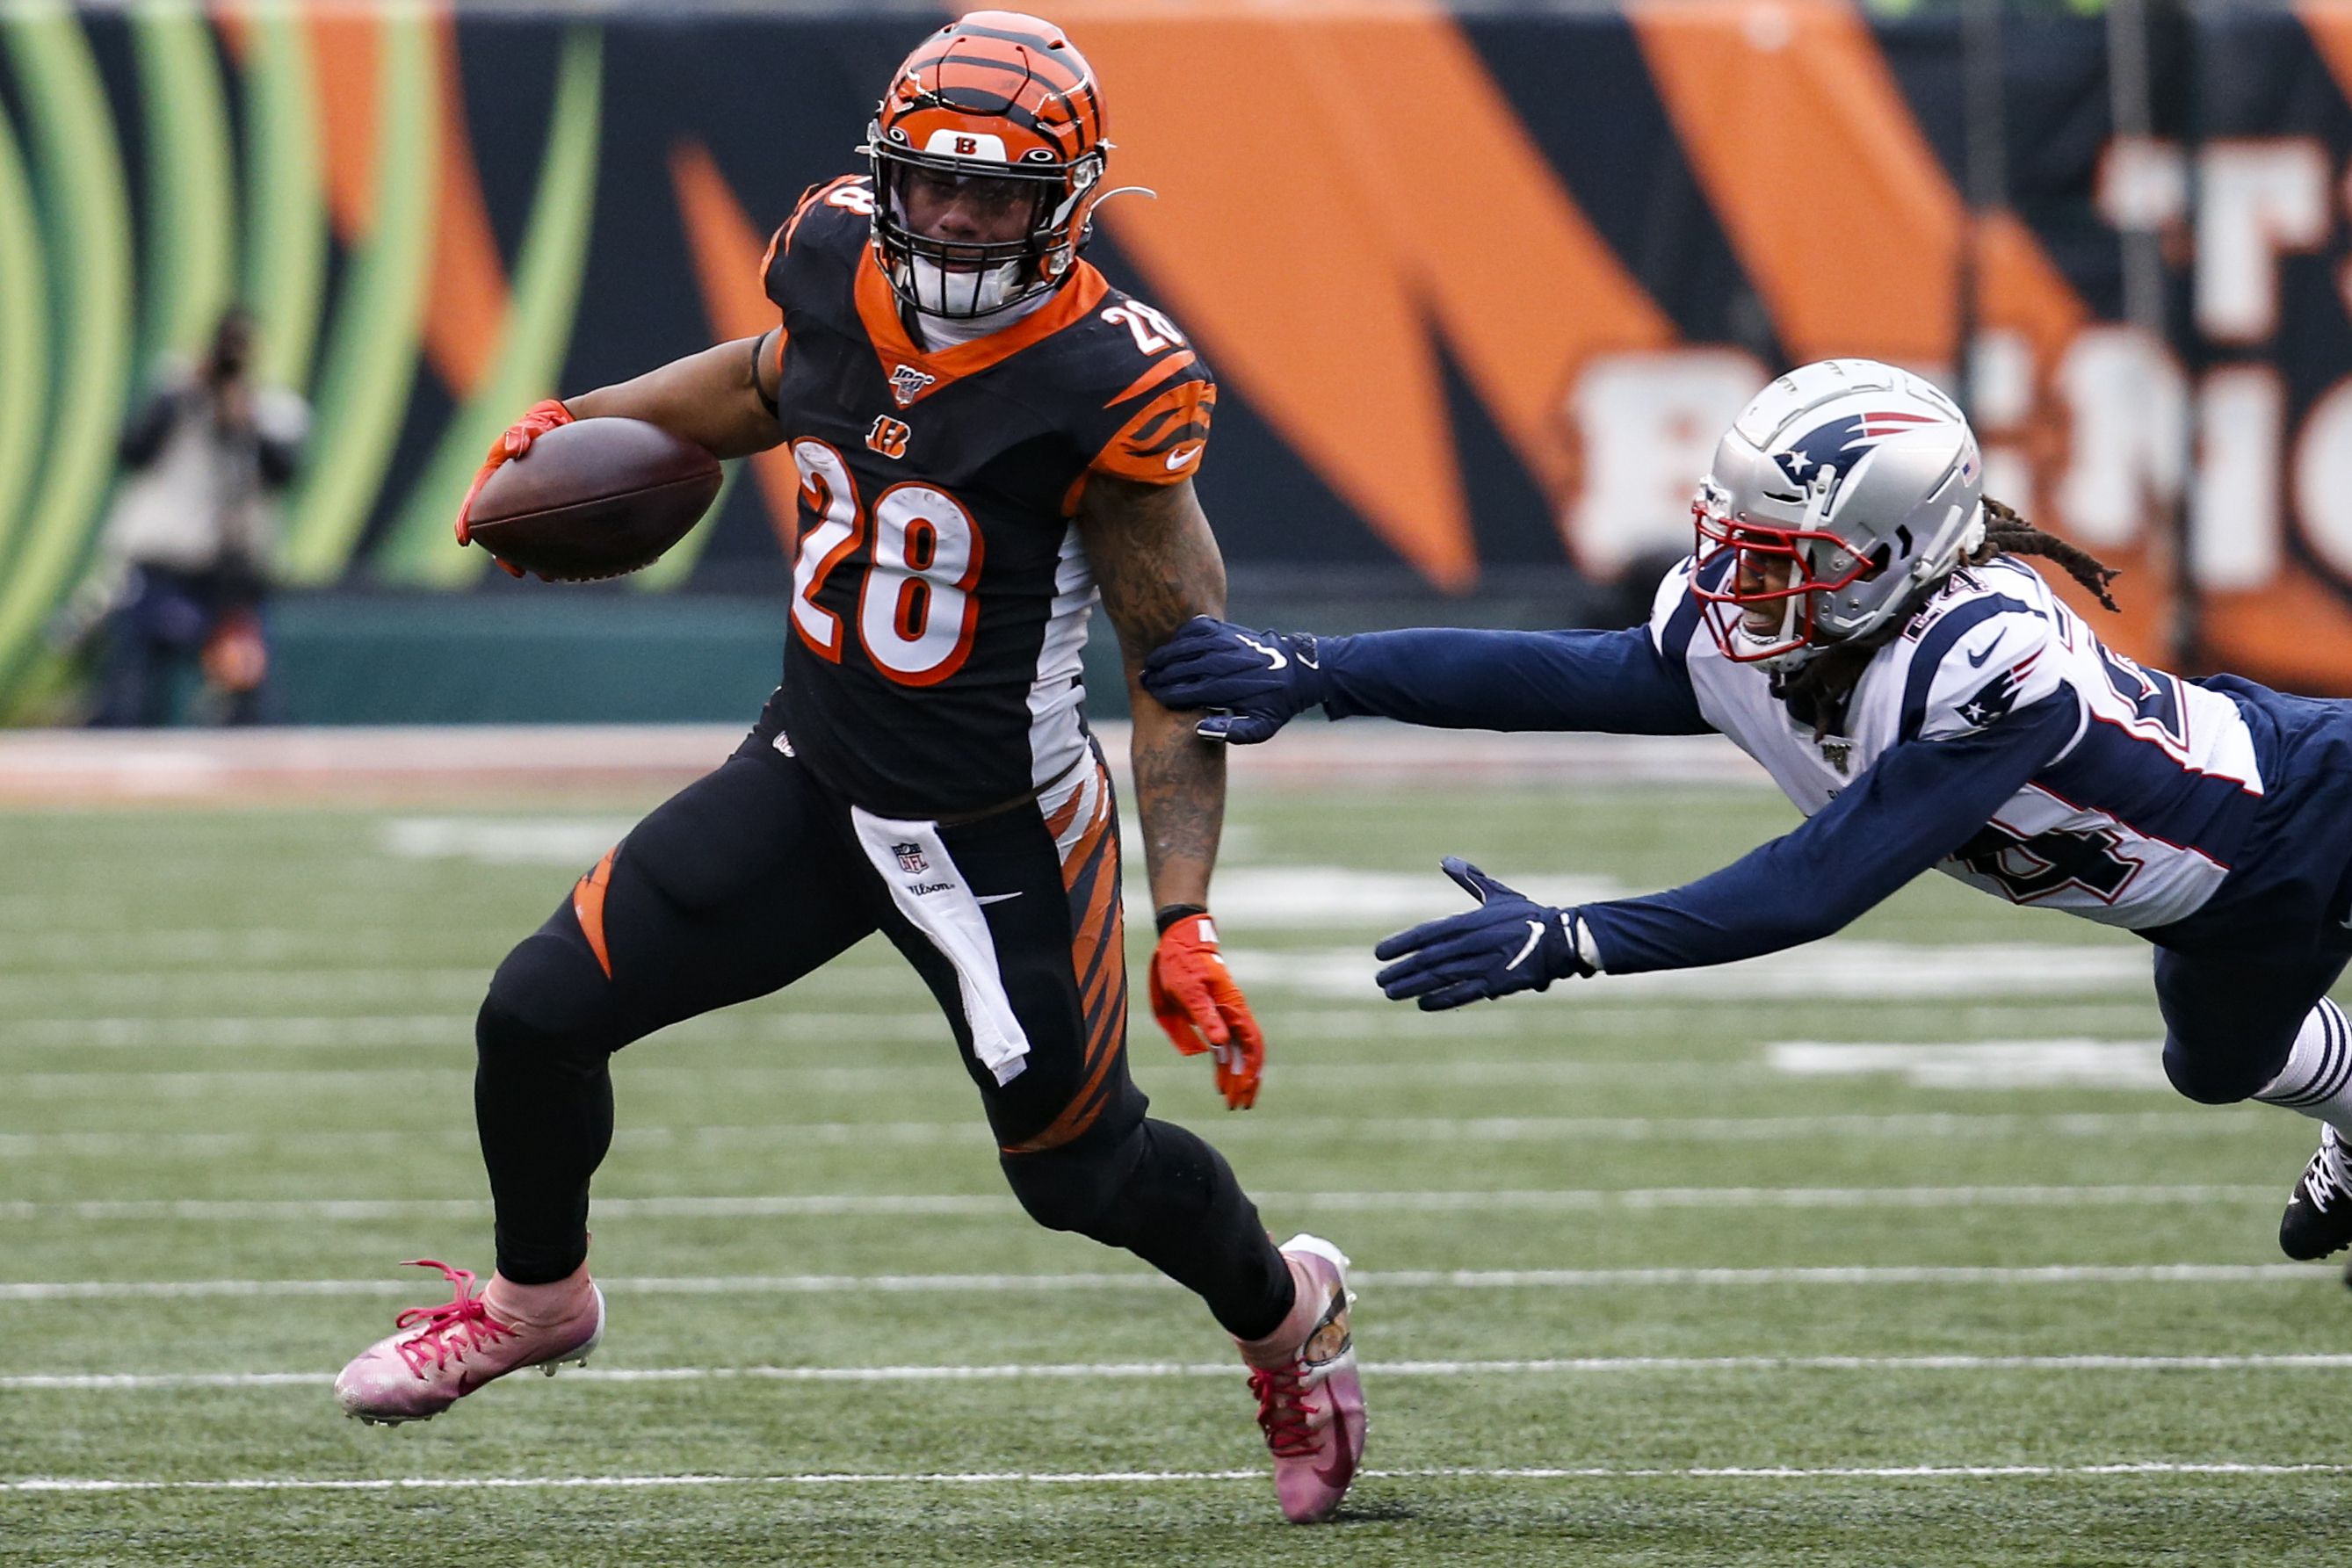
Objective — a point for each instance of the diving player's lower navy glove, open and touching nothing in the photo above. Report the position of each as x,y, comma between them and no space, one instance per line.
1509,944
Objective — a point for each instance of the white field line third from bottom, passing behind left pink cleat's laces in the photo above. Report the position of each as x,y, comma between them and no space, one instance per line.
1384,1280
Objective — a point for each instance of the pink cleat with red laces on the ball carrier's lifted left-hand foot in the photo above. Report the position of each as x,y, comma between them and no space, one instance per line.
439,1355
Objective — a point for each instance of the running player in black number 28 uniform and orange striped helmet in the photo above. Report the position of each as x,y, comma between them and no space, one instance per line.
989,441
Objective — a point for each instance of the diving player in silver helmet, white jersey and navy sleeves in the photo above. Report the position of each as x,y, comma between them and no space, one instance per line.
1857,617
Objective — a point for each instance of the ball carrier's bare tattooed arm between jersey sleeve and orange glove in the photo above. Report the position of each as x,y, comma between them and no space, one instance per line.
1158,568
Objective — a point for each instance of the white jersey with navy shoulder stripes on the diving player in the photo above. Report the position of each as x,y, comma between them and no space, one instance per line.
2134,824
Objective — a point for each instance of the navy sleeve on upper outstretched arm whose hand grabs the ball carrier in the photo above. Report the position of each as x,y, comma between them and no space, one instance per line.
1612,683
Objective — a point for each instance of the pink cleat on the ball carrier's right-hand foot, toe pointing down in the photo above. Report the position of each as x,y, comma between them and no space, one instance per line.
1311,1402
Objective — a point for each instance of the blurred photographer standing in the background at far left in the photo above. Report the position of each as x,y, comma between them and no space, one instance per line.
185,563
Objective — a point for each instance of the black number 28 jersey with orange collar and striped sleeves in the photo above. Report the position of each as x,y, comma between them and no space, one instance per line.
940,591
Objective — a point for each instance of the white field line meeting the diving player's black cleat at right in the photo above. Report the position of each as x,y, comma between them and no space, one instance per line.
827,1205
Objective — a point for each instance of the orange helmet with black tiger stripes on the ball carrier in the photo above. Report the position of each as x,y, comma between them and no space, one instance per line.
996,112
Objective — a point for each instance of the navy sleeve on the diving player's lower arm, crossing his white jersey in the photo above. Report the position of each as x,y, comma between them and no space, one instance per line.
1916,805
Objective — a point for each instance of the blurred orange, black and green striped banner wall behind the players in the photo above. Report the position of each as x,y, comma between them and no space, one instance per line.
1481,288
